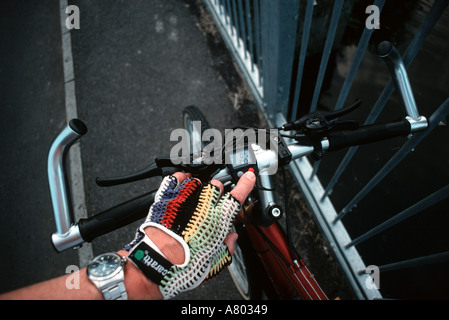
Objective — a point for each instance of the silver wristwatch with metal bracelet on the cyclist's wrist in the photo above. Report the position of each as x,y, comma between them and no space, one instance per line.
107,273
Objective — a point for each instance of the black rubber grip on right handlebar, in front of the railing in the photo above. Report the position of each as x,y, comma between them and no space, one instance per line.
368,134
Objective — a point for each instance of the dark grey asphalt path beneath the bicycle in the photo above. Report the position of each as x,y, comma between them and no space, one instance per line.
137,64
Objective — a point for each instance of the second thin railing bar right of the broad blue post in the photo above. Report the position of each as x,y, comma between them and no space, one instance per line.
335,18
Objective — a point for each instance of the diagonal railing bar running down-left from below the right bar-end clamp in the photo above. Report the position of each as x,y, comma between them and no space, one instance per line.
440,114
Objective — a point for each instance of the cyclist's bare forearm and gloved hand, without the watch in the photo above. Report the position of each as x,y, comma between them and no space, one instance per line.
219,218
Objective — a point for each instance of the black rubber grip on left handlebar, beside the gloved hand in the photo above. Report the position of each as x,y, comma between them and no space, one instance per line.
116,217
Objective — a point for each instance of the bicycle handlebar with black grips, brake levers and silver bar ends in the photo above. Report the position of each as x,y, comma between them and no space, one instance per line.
72,235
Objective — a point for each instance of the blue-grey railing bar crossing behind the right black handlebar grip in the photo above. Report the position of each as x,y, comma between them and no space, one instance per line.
409,55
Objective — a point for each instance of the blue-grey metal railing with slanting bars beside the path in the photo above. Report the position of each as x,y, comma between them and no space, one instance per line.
271,42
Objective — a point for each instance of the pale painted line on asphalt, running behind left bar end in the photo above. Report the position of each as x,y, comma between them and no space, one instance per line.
85,253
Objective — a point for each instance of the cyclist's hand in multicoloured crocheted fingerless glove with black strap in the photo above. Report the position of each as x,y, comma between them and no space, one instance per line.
199,219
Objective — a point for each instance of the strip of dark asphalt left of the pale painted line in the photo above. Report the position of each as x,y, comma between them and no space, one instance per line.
32,104
